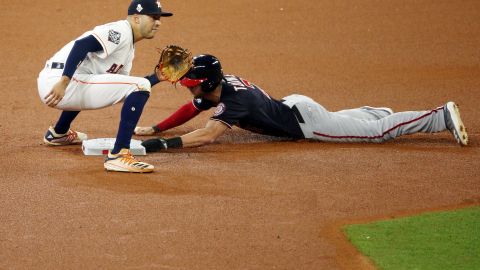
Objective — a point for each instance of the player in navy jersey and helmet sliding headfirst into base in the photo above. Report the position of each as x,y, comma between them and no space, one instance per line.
241,103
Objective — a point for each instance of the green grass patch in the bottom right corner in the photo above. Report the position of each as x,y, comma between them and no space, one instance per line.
438,240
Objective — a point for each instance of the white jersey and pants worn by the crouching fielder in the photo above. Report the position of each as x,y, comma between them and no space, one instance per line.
102,78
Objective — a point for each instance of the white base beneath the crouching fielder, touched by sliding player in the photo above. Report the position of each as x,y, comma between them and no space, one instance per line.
100,146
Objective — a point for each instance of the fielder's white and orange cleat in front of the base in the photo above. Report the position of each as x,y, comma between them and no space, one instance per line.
124,161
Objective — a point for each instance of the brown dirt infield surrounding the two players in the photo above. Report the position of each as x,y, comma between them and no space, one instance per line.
250,202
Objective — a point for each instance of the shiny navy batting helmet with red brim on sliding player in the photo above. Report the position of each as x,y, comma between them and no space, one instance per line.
205,71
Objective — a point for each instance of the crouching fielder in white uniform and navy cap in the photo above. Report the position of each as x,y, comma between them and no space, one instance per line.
92,72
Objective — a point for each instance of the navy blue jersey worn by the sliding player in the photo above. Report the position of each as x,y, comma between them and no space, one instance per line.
247,106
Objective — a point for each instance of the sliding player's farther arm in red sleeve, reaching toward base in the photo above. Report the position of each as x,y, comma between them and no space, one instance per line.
181,116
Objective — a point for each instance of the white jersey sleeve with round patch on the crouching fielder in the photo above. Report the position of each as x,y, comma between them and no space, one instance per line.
111,37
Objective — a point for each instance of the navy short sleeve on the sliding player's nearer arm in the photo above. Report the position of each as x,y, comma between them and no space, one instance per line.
230,112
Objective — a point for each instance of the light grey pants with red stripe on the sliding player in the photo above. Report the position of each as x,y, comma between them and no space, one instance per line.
357,126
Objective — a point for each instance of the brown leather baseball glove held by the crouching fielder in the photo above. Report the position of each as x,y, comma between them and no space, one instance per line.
174,62
